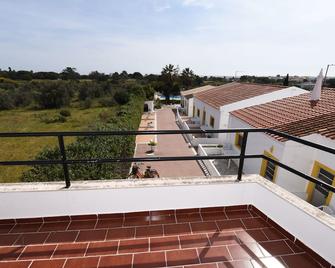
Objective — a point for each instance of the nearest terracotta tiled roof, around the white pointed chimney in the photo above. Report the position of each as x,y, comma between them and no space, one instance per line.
294,115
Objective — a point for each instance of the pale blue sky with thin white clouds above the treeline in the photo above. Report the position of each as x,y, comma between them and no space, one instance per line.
212,37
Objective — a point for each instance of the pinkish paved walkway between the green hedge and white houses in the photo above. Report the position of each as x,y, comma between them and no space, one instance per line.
170,145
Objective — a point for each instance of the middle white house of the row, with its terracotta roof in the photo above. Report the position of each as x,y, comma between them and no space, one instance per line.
212,107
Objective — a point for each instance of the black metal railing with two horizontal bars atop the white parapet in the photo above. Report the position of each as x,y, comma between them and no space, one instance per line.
242,156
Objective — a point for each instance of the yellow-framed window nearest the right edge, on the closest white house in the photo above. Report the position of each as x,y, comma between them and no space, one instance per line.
316,194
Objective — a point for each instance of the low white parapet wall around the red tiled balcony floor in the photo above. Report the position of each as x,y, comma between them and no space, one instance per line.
310,225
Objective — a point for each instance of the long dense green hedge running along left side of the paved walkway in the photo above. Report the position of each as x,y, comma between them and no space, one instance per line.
98,147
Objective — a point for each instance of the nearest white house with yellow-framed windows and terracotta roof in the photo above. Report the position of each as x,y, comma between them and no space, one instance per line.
294,116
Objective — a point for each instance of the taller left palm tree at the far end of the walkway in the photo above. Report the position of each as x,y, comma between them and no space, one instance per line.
169,78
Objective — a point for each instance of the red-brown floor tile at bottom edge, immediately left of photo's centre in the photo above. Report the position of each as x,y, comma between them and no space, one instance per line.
149,260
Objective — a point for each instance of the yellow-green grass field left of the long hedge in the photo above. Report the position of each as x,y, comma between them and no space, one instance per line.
28,121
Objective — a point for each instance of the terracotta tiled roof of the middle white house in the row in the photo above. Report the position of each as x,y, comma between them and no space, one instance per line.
233,92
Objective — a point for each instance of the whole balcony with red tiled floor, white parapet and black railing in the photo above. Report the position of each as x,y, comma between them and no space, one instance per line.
230,221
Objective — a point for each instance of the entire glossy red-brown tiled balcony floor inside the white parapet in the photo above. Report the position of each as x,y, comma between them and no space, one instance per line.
238,236
